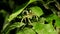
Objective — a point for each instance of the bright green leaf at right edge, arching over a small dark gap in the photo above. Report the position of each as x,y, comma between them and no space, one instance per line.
53,17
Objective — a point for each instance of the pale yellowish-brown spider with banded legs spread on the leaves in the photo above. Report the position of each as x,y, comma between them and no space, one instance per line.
29,15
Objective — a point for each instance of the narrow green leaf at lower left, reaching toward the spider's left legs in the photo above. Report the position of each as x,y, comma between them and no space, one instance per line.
13,26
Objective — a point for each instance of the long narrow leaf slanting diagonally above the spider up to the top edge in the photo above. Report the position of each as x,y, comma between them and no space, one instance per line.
17,12
